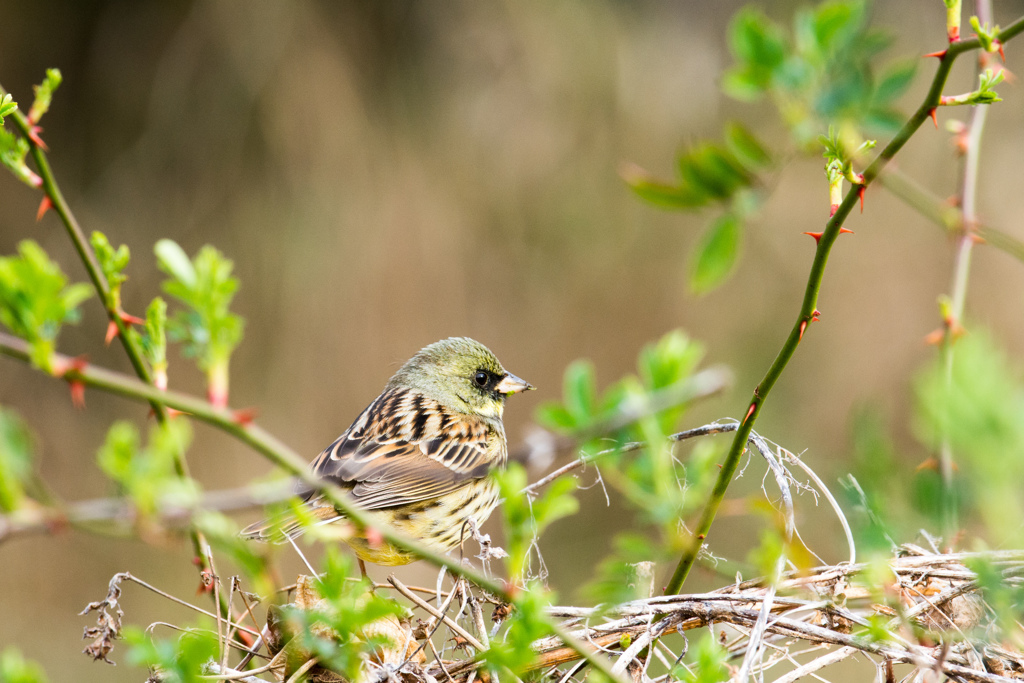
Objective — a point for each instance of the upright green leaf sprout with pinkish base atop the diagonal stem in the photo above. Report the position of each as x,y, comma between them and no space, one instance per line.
207,327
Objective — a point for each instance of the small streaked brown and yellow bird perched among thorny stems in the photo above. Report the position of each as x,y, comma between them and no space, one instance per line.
419,456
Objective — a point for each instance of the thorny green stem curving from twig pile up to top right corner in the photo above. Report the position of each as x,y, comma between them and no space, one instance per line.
808,308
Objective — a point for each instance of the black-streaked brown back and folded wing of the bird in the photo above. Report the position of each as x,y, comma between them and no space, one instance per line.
406,449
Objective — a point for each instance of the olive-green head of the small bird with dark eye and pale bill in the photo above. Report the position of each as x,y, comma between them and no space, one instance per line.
461,374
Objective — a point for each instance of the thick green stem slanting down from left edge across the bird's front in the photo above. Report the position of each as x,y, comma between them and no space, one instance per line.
288,460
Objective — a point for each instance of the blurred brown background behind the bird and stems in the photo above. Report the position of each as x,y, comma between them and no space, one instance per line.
386,175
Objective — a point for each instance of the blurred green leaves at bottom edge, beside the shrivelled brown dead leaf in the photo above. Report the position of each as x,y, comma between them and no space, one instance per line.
179,661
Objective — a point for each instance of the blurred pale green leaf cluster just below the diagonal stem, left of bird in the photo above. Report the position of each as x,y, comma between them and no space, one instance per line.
148,474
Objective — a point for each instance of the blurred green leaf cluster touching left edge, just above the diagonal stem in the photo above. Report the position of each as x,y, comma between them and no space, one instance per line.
36,301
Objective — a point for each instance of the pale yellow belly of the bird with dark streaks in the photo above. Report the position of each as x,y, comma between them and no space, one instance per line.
442,524
